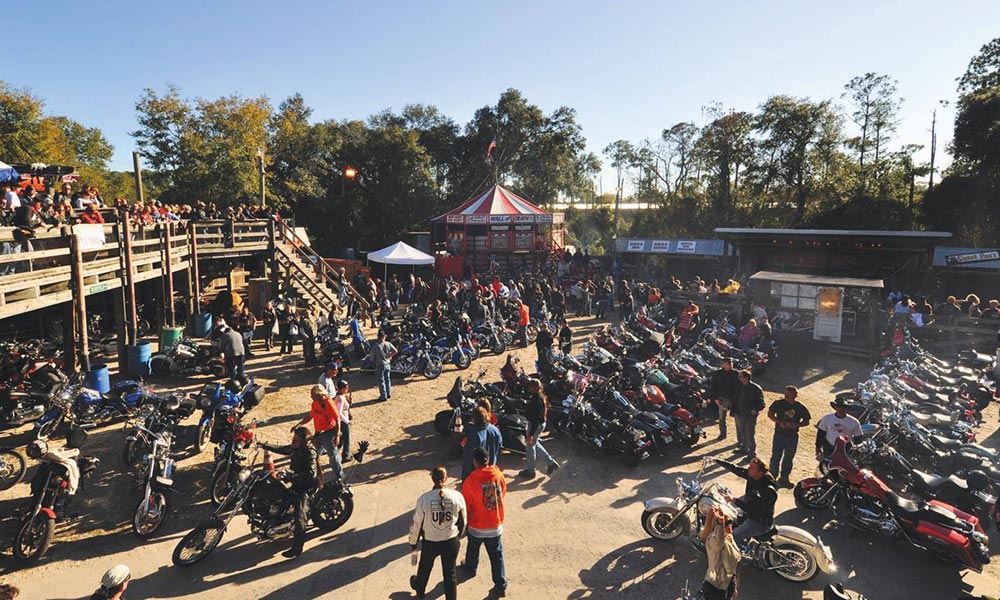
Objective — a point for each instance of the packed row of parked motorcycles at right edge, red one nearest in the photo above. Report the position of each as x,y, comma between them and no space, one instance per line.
917,475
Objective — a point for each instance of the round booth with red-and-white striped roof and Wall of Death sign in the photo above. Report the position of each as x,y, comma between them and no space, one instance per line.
498,231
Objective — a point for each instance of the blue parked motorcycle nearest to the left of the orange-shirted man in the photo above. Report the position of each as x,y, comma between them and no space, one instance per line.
219,404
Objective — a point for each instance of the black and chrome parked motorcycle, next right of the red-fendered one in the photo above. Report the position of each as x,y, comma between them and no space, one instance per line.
155,476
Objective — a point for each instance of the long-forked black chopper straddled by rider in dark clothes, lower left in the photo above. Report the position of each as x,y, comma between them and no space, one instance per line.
268,506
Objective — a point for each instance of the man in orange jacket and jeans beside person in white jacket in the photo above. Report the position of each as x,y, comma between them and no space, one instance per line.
484,491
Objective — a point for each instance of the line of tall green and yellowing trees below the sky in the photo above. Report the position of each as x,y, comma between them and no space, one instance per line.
791,162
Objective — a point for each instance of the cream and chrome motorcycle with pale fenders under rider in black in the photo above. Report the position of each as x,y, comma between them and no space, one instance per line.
790,552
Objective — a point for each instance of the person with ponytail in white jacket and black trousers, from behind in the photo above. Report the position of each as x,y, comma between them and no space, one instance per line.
440,517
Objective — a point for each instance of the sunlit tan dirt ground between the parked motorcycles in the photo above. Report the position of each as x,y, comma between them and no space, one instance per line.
576,535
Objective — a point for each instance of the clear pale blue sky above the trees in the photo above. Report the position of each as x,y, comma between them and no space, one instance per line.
629,68
